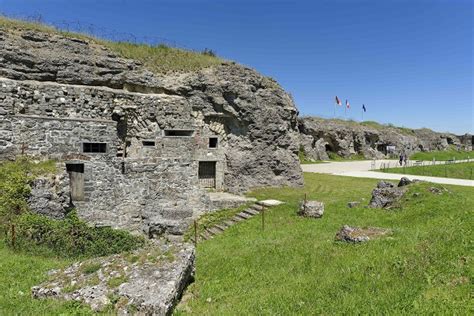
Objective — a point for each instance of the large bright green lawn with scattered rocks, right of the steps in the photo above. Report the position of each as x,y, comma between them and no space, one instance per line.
295,267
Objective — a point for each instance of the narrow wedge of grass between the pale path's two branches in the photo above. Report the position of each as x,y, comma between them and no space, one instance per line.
458,170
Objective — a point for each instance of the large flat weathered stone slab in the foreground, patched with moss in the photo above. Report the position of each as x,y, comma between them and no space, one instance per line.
147,281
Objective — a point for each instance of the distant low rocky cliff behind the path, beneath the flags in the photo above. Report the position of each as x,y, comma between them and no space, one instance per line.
347,138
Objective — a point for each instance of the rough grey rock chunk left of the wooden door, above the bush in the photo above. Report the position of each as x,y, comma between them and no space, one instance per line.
50,196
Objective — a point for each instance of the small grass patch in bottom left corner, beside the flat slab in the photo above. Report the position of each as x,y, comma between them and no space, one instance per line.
19,272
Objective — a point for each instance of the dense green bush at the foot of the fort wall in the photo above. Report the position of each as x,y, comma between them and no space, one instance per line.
71,237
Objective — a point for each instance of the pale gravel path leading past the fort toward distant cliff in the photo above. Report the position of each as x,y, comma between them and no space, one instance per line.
362,169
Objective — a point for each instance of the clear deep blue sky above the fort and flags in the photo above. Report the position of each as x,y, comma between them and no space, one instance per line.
409,61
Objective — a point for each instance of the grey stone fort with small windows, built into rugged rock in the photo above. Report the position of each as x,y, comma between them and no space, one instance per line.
136,150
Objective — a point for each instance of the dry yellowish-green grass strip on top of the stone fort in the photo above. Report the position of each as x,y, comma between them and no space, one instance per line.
159,59
